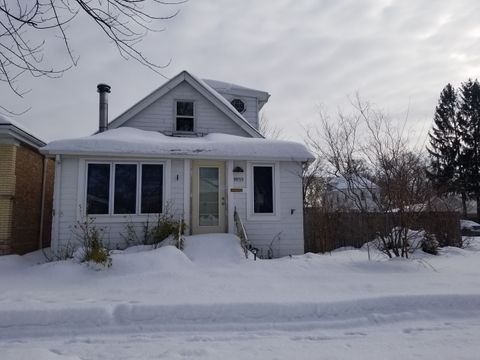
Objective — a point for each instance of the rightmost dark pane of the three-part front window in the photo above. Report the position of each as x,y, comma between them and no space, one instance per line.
152,189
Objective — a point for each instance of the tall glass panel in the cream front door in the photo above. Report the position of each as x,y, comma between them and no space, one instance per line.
208,196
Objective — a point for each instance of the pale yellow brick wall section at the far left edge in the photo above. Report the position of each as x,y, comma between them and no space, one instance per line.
7,192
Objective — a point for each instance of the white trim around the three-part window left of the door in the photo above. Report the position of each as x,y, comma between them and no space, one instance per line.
111,216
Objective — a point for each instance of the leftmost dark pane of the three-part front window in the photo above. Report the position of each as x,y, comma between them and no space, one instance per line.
98,188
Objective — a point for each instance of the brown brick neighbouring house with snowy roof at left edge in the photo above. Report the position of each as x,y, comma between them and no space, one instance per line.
26,188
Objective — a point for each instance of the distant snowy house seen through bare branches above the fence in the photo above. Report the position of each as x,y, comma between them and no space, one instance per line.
356,193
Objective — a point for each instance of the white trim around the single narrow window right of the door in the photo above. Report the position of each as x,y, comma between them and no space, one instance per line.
251,214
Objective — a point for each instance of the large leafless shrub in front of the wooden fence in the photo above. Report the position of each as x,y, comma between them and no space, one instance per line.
373,156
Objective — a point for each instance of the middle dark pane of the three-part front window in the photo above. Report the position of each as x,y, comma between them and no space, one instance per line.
125,189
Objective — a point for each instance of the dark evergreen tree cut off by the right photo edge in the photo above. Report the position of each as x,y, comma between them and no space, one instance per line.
469,124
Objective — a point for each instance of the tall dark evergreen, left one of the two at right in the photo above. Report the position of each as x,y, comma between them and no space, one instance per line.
444,146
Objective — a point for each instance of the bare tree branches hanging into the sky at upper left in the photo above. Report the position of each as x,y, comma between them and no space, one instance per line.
124,22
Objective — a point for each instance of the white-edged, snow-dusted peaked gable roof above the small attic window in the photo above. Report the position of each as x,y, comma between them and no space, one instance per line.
202,87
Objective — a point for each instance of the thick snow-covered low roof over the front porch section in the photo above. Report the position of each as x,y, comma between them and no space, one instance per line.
127,141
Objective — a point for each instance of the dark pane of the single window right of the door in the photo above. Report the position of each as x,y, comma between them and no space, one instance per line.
263,189
